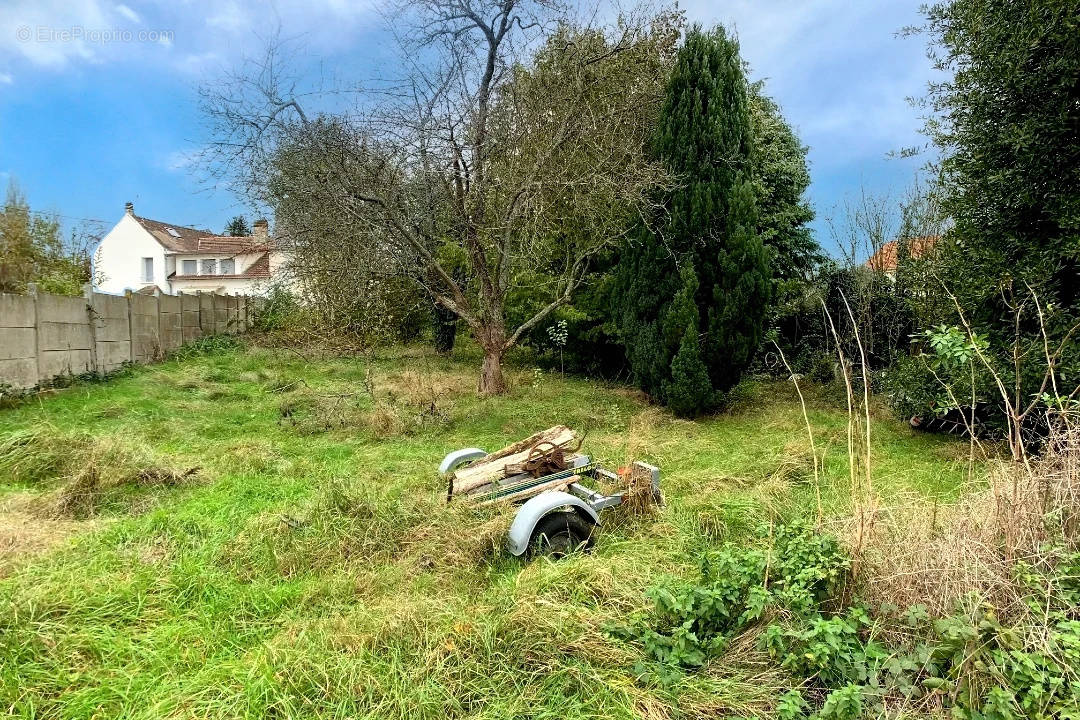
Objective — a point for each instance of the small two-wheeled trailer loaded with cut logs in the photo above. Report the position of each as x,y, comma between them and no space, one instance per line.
548,480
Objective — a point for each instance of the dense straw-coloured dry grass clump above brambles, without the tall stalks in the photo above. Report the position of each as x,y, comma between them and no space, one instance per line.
940,555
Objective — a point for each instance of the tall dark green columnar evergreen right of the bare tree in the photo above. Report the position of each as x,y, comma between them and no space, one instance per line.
706,253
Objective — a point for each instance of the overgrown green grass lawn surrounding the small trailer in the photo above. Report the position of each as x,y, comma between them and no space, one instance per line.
310,567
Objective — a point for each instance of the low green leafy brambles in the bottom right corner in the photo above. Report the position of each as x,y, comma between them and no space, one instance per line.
842,659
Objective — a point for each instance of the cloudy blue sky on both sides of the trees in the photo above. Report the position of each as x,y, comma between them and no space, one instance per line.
99,100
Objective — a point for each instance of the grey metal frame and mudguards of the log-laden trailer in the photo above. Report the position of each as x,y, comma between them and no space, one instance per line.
578,498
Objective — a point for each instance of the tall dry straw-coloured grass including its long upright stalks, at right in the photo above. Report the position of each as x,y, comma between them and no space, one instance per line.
920,552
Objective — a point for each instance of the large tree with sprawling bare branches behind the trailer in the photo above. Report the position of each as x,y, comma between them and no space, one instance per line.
517,140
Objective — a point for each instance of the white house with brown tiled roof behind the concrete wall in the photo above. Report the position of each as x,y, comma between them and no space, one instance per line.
141,255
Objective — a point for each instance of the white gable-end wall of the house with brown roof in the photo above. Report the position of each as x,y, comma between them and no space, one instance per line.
119,260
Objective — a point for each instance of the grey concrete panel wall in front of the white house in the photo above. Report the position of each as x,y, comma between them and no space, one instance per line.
44,337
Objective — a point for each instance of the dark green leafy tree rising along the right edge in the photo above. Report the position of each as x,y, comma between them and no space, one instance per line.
1007,123
